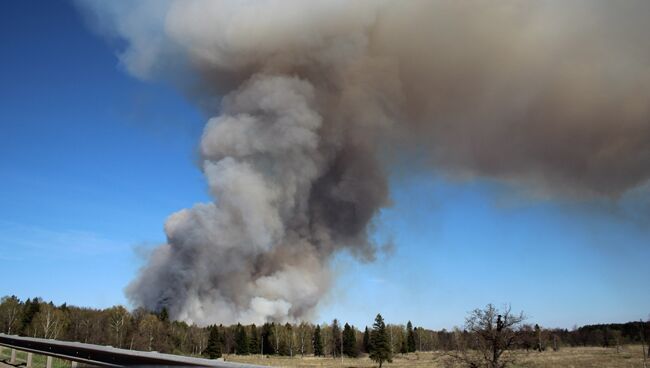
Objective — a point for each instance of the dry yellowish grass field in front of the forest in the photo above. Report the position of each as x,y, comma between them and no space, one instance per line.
630,356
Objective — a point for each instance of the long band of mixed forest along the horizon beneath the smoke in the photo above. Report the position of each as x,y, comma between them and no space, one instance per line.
150,331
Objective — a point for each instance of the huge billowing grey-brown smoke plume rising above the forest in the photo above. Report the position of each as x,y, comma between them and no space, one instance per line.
314,100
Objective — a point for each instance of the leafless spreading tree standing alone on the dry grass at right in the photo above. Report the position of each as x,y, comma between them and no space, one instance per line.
492,333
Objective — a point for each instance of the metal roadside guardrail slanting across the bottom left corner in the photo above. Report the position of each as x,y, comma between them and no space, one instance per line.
107,356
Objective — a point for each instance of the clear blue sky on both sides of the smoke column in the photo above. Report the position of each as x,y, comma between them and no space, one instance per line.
92,161
